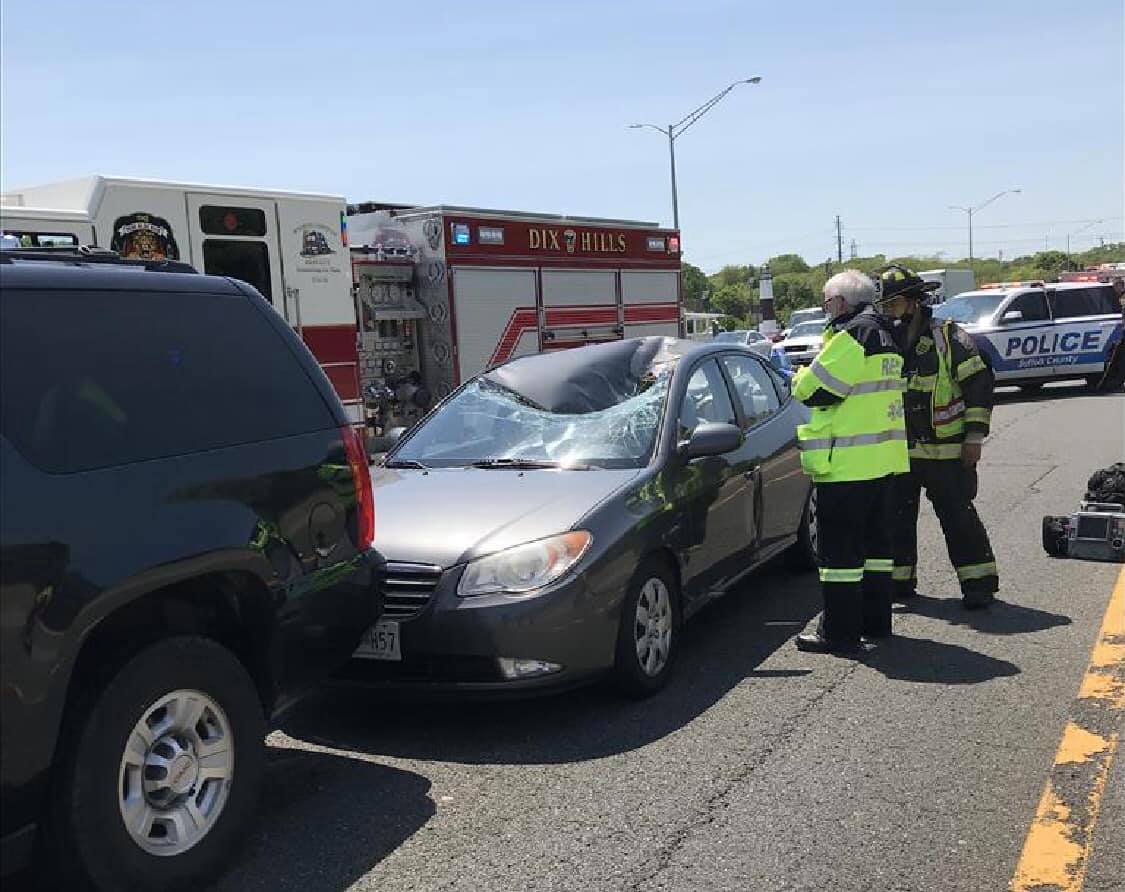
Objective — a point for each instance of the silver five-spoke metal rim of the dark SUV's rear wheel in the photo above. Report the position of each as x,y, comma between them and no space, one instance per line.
176,772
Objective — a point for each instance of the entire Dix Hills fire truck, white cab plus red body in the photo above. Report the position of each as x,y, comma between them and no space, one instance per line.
427,296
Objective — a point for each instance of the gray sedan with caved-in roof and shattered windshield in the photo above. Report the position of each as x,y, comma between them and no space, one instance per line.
559,518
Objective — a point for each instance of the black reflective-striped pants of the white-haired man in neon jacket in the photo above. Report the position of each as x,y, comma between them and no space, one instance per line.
856,548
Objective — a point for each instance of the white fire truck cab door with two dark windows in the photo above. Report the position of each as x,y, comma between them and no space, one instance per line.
238,237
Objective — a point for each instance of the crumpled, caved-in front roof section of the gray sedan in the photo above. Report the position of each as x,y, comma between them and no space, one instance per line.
589,379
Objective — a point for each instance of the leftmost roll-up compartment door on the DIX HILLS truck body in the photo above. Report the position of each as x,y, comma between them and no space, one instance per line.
497,317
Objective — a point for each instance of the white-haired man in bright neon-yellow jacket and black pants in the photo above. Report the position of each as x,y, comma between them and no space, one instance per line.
852,446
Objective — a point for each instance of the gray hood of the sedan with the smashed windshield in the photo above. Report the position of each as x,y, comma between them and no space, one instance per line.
447,517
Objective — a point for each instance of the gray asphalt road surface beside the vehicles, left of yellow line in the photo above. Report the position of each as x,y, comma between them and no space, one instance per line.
760,768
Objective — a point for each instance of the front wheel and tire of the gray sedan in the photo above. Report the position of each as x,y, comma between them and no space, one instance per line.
644,665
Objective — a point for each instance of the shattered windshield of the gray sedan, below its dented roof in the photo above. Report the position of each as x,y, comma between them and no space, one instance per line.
488,422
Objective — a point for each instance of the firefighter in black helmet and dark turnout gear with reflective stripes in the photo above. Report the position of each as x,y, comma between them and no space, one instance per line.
949,404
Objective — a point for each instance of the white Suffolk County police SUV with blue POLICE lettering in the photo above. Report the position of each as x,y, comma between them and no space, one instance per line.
1031,334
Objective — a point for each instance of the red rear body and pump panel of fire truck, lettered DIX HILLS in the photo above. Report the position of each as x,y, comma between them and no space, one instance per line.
444,293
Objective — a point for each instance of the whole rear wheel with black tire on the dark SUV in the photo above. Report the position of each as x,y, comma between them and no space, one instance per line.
200,782
